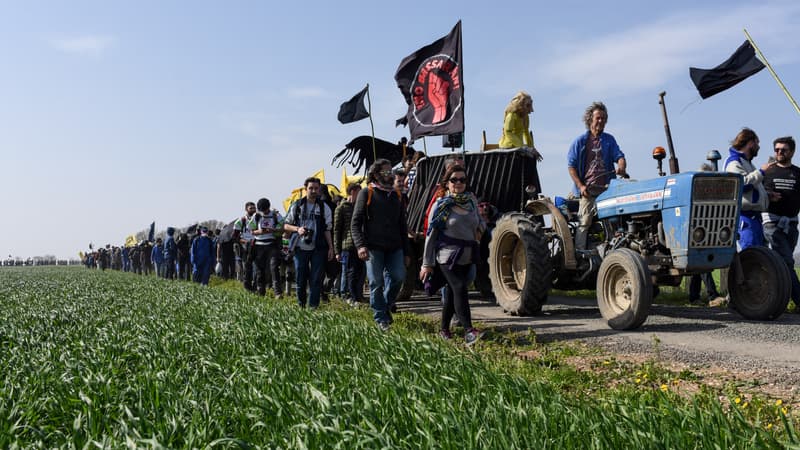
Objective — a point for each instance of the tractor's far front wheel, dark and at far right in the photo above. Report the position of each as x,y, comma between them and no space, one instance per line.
759,284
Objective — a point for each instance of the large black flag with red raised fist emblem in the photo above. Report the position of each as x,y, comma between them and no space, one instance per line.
431,82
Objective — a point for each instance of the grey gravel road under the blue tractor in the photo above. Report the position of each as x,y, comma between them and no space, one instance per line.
711,340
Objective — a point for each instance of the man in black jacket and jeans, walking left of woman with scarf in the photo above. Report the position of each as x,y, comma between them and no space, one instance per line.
379,234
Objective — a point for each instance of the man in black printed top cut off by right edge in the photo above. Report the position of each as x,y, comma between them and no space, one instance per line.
782,182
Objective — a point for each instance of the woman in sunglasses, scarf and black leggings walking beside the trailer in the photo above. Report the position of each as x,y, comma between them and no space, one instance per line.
451,246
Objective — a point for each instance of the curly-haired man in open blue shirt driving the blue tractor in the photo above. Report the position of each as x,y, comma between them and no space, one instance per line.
590,163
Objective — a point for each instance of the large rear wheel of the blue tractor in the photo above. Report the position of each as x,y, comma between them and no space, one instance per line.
519,265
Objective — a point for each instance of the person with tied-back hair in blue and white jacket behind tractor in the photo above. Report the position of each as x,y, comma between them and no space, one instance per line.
744,149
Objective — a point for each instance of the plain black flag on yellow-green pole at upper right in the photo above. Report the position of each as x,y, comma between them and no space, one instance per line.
734,70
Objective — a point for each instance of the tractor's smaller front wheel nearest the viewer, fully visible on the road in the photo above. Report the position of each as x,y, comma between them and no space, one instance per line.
624,289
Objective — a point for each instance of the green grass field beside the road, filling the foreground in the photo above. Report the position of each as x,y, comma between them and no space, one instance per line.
110,359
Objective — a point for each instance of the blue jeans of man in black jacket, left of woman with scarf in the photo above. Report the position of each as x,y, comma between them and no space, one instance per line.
382,296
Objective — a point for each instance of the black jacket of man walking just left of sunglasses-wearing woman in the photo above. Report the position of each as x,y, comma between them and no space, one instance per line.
381,225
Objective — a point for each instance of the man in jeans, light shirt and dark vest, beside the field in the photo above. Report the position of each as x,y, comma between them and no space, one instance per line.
312,220
